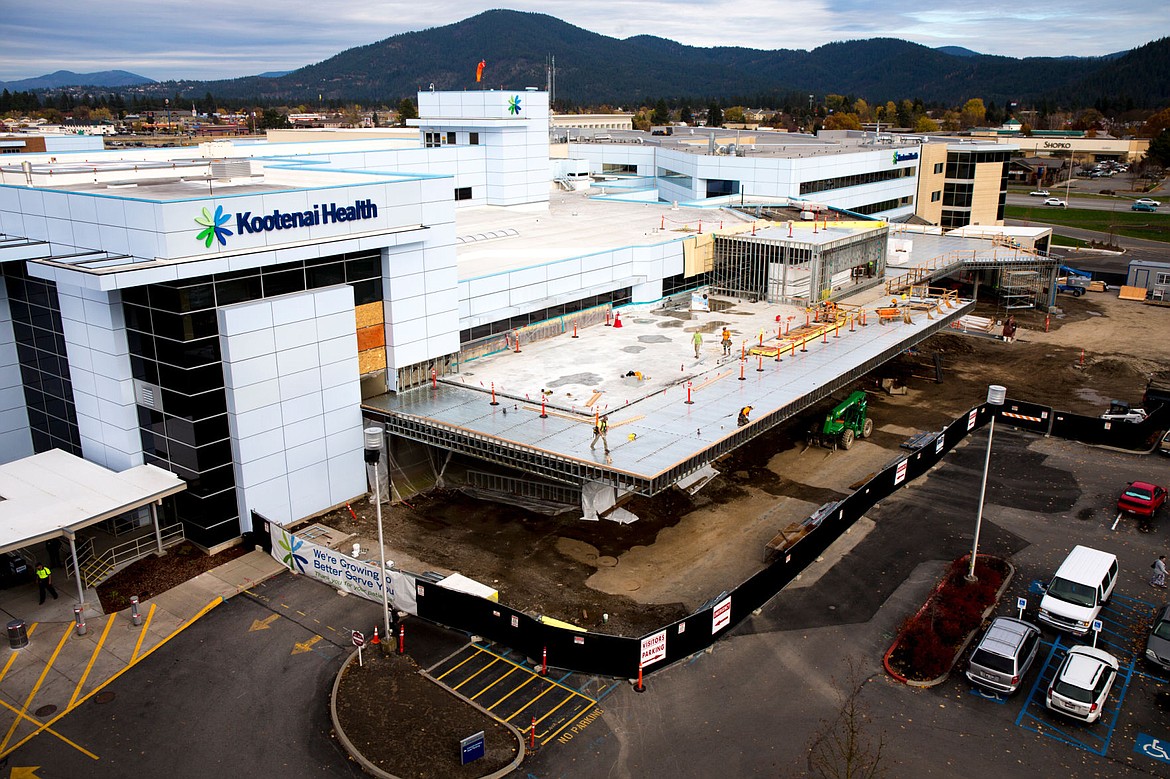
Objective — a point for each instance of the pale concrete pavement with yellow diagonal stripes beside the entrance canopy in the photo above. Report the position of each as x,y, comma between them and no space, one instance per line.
59,670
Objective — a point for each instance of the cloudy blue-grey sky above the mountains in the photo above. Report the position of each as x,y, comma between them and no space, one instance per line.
221,39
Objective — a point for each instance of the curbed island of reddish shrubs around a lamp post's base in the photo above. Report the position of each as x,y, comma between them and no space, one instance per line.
930,640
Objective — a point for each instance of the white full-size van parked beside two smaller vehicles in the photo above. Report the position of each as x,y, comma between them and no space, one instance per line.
1083,584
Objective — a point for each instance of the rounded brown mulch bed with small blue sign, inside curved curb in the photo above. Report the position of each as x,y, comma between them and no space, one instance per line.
410,727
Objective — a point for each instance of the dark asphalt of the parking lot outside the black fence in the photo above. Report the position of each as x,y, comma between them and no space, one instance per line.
230,698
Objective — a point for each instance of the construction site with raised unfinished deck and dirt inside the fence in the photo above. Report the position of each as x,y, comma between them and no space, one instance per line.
494,474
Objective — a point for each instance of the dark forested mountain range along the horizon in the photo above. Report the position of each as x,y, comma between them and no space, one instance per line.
595,70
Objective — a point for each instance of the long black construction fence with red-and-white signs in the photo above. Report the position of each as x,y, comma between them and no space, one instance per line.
621,657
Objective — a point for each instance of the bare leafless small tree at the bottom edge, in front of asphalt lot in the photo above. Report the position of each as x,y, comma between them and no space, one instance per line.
845,747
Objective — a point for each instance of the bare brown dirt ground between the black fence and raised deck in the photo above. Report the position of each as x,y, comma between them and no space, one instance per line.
686,550
